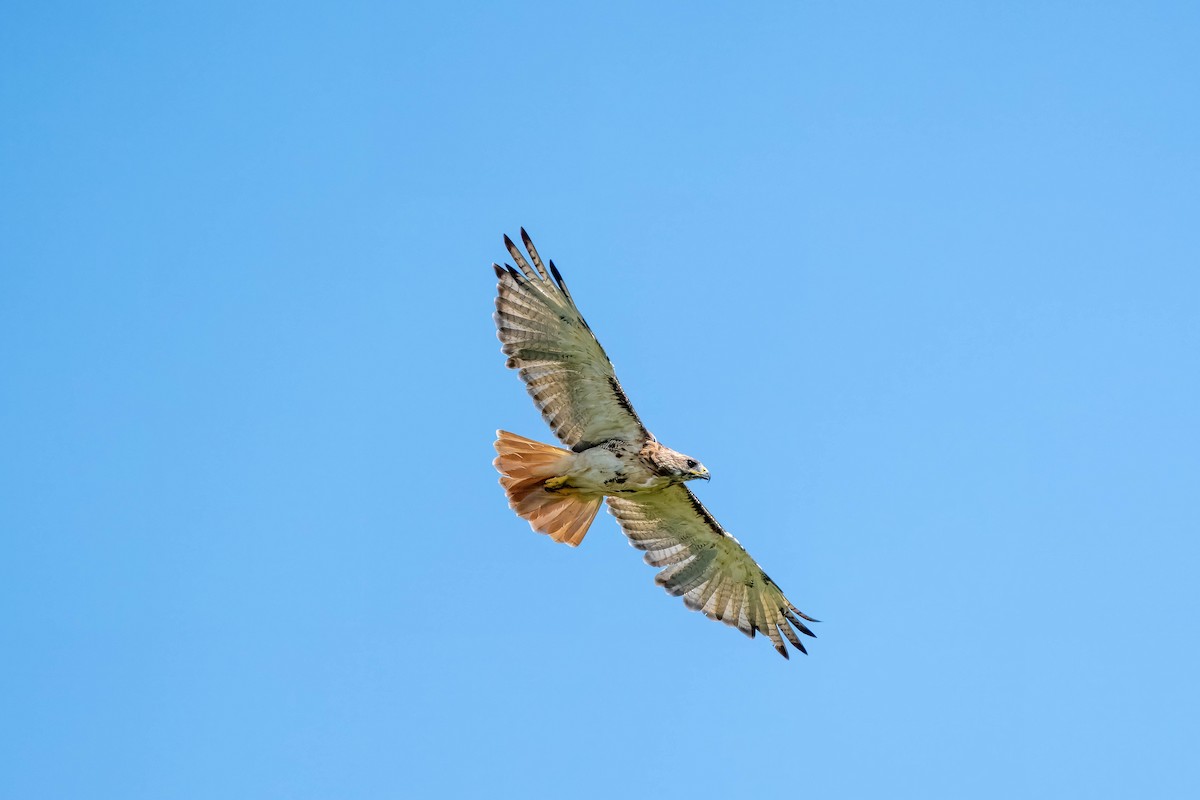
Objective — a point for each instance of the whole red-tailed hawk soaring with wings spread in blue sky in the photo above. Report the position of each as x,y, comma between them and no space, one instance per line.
614,456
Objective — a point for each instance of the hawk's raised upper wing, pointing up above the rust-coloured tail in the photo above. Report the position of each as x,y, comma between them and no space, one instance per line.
561,362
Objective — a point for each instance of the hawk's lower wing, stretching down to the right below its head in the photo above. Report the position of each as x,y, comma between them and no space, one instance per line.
706,566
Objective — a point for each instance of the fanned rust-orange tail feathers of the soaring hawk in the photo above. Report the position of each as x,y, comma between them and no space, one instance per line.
525,467
